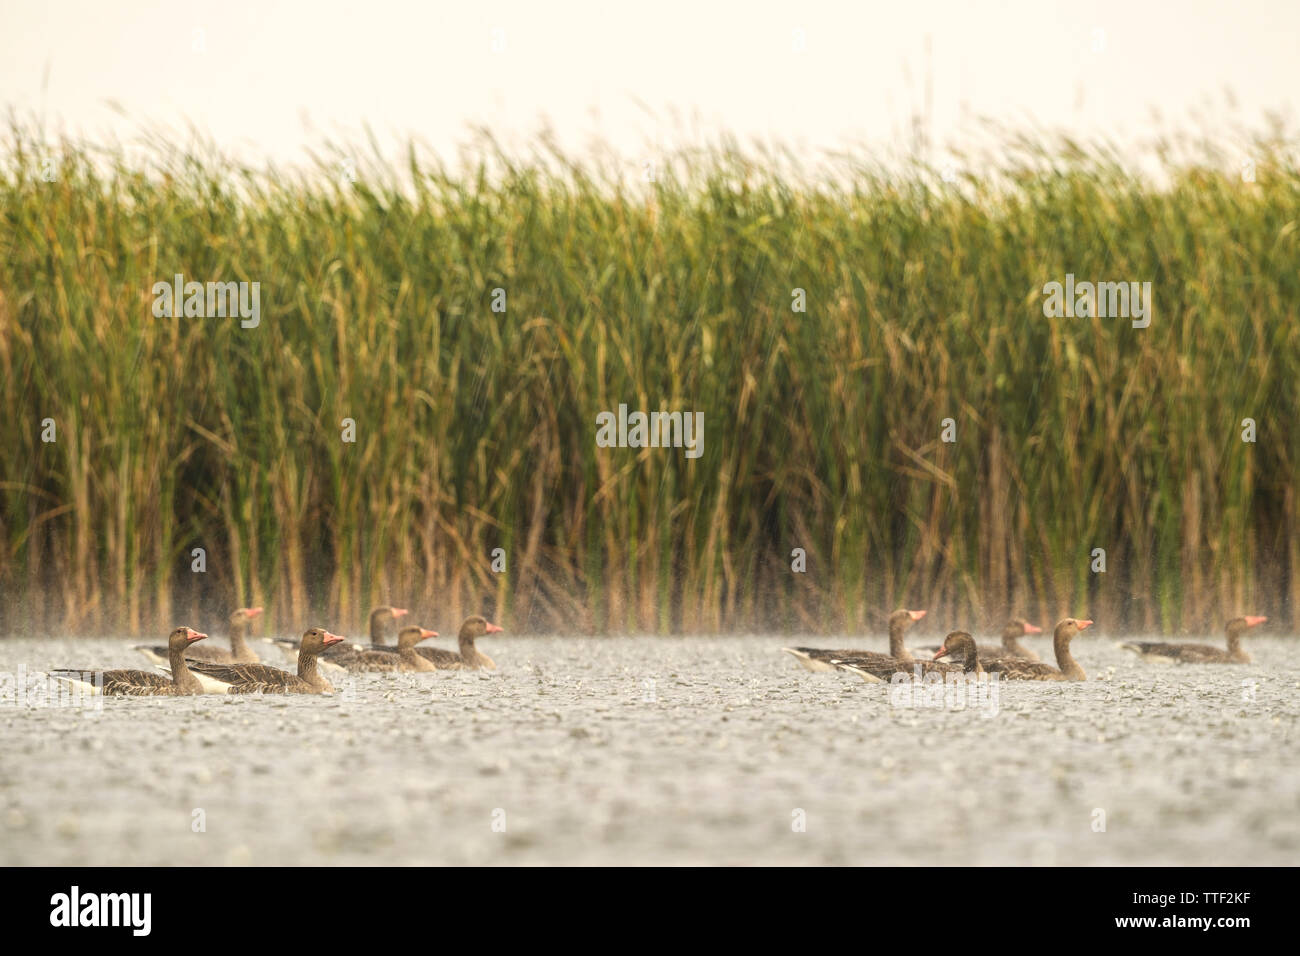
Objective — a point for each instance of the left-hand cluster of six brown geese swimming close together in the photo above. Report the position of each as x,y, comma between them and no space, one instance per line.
185,668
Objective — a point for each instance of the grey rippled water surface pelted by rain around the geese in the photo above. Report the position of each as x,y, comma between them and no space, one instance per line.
664,751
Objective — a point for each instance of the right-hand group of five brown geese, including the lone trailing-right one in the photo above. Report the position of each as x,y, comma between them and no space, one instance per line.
1012,661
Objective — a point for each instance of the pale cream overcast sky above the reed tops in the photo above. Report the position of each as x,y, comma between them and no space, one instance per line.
267,79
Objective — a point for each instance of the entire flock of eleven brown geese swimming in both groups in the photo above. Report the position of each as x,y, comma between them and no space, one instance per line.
181,668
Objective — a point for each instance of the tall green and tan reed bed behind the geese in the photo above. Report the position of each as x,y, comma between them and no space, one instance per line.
476,430
